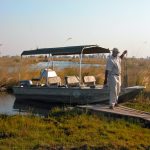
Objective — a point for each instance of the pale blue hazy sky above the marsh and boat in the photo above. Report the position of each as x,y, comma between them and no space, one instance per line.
32,24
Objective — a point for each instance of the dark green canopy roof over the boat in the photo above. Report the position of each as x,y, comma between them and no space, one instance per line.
70,50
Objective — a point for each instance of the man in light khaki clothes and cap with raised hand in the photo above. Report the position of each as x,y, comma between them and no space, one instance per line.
113,76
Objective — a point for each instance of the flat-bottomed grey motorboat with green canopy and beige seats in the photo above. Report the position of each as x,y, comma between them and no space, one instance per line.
74,91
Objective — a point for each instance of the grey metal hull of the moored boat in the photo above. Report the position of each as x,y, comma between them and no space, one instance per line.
74,95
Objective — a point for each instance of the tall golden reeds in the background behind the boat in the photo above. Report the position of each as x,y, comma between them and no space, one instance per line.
13,69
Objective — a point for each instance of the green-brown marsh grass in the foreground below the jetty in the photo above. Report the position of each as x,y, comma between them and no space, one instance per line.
71,129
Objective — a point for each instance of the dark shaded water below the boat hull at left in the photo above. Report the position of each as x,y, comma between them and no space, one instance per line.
10,106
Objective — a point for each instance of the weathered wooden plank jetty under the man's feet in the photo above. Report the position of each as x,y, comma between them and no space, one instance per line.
119,112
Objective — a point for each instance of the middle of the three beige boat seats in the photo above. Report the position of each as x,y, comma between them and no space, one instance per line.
72,81
